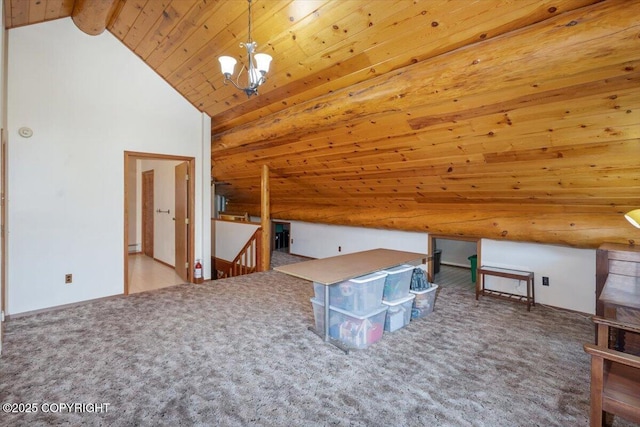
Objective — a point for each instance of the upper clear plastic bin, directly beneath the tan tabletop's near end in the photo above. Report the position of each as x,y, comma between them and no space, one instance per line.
360,295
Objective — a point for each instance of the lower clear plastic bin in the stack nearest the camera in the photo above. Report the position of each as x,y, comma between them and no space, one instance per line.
353,330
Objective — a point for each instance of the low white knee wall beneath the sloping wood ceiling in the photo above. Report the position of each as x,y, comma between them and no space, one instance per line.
571,271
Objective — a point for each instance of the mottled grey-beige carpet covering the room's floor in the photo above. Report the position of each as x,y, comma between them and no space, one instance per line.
238,352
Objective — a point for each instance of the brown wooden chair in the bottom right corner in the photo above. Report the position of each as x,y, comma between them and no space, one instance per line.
615,377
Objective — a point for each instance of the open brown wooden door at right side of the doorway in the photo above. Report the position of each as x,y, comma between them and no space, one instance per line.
182,220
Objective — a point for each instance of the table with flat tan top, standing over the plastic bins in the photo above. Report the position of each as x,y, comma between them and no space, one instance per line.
328,271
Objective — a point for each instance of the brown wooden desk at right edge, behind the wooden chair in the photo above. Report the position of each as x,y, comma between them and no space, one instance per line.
618,291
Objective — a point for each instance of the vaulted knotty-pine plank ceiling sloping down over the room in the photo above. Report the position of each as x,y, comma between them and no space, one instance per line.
495,118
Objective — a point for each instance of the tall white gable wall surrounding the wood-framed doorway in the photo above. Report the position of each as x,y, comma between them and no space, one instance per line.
88,99
